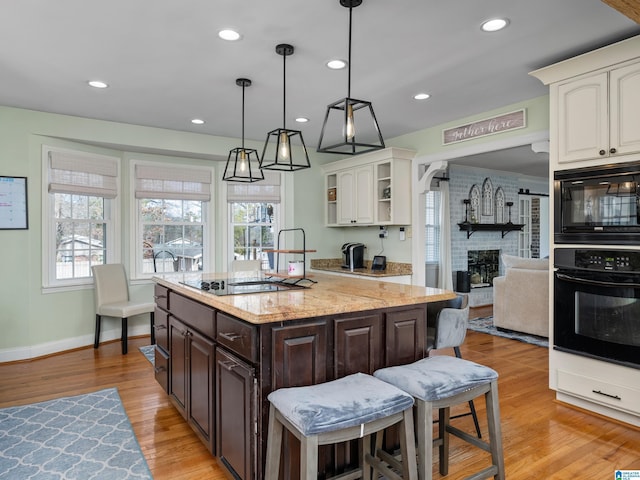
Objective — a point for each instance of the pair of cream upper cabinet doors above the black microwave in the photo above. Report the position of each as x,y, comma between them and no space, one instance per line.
599,115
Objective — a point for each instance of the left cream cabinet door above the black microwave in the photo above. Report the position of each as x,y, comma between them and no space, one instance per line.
583,123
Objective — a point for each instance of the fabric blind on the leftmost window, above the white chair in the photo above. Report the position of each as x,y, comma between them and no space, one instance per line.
83,174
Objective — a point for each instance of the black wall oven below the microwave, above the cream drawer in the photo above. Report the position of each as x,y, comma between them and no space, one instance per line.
597,304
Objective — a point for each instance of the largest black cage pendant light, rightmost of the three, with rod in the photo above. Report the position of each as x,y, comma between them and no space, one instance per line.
350,126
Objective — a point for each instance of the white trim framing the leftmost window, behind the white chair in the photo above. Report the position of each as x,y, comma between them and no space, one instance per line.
49,283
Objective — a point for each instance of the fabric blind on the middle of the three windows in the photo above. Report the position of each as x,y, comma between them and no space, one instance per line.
173,183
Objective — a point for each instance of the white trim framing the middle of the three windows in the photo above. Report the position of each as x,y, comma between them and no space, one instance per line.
135,231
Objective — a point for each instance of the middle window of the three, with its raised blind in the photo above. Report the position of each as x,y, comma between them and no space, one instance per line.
171,217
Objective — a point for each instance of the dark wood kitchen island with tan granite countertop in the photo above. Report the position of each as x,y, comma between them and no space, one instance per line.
218,357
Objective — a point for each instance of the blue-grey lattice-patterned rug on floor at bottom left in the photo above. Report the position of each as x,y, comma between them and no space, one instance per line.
85,437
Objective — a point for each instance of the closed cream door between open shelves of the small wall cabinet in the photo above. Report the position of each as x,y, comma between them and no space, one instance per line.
355,196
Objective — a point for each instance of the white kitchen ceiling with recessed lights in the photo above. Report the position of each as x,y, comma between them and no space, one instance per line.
165,64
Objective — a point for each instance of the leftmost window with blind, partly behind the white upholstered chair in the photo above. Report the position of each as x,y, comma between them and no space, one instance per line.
79,229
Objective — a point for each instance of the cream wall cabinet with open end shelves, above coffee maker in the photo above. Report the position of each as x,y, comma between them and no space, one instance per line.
369,189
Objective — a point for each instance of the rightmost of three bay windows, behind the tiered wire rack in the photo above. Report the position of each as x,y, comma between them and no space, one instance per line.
254,210
